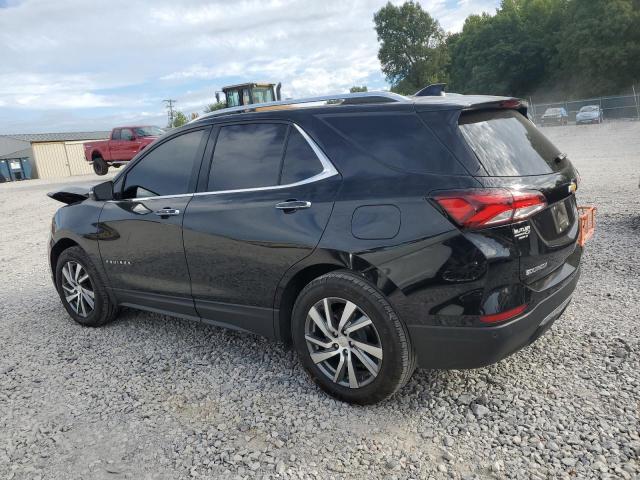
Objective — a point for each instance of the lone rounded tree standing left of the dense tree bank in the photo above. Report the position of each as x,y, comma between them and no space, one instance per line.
413,51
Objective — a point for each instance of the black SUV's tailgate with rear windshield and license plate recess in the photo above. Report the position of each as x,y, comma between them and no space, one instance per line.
515,154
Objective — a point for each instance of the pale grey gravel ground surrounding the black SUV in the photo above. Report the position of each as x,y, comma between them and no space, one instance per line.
151,397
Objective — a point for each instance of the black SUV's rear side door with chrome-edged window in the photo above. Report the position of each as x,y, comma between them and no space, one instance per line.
261,207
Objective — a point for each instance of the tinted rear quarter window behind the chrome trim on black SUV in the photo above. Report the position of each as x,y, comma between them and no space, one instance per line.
398,140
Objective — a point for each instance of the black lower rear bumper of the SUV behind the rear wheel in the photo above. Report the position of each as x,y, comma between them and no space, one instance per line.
474,347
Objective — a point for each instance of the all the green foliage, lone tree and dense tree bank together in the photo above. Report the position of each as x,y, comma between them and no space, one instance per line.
546,48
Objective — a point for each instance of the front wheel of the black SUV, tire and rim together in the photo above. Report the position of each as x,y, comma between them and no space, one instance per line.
68,278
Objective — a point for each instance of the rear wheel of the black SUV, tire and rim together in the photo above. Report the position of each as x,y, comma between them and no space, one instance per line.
389,354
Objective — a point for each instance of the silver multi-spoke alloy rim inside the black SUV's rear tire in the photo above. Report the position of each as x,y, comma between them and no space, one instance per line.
343,342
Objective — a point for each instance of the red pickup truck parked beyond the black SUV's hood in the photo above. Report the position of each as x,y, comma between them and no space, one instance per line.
122,146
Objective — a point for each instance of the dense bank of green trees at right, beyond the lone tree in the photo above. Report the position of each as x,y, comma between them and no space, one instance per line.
548,48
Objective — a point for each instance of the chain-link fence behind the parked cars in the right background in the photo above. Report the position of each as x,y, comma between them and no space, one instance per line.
615,107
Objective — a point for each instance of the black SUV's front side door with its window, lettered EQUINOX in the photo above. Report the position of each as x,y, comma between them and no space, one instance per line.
140,235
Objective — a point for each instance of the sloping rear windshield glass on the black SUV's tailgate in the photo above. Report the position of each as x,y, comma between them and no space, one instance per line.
507,144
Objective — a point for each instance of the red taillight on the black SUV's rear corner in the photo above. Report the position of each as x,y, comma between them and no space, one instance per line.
488,207
